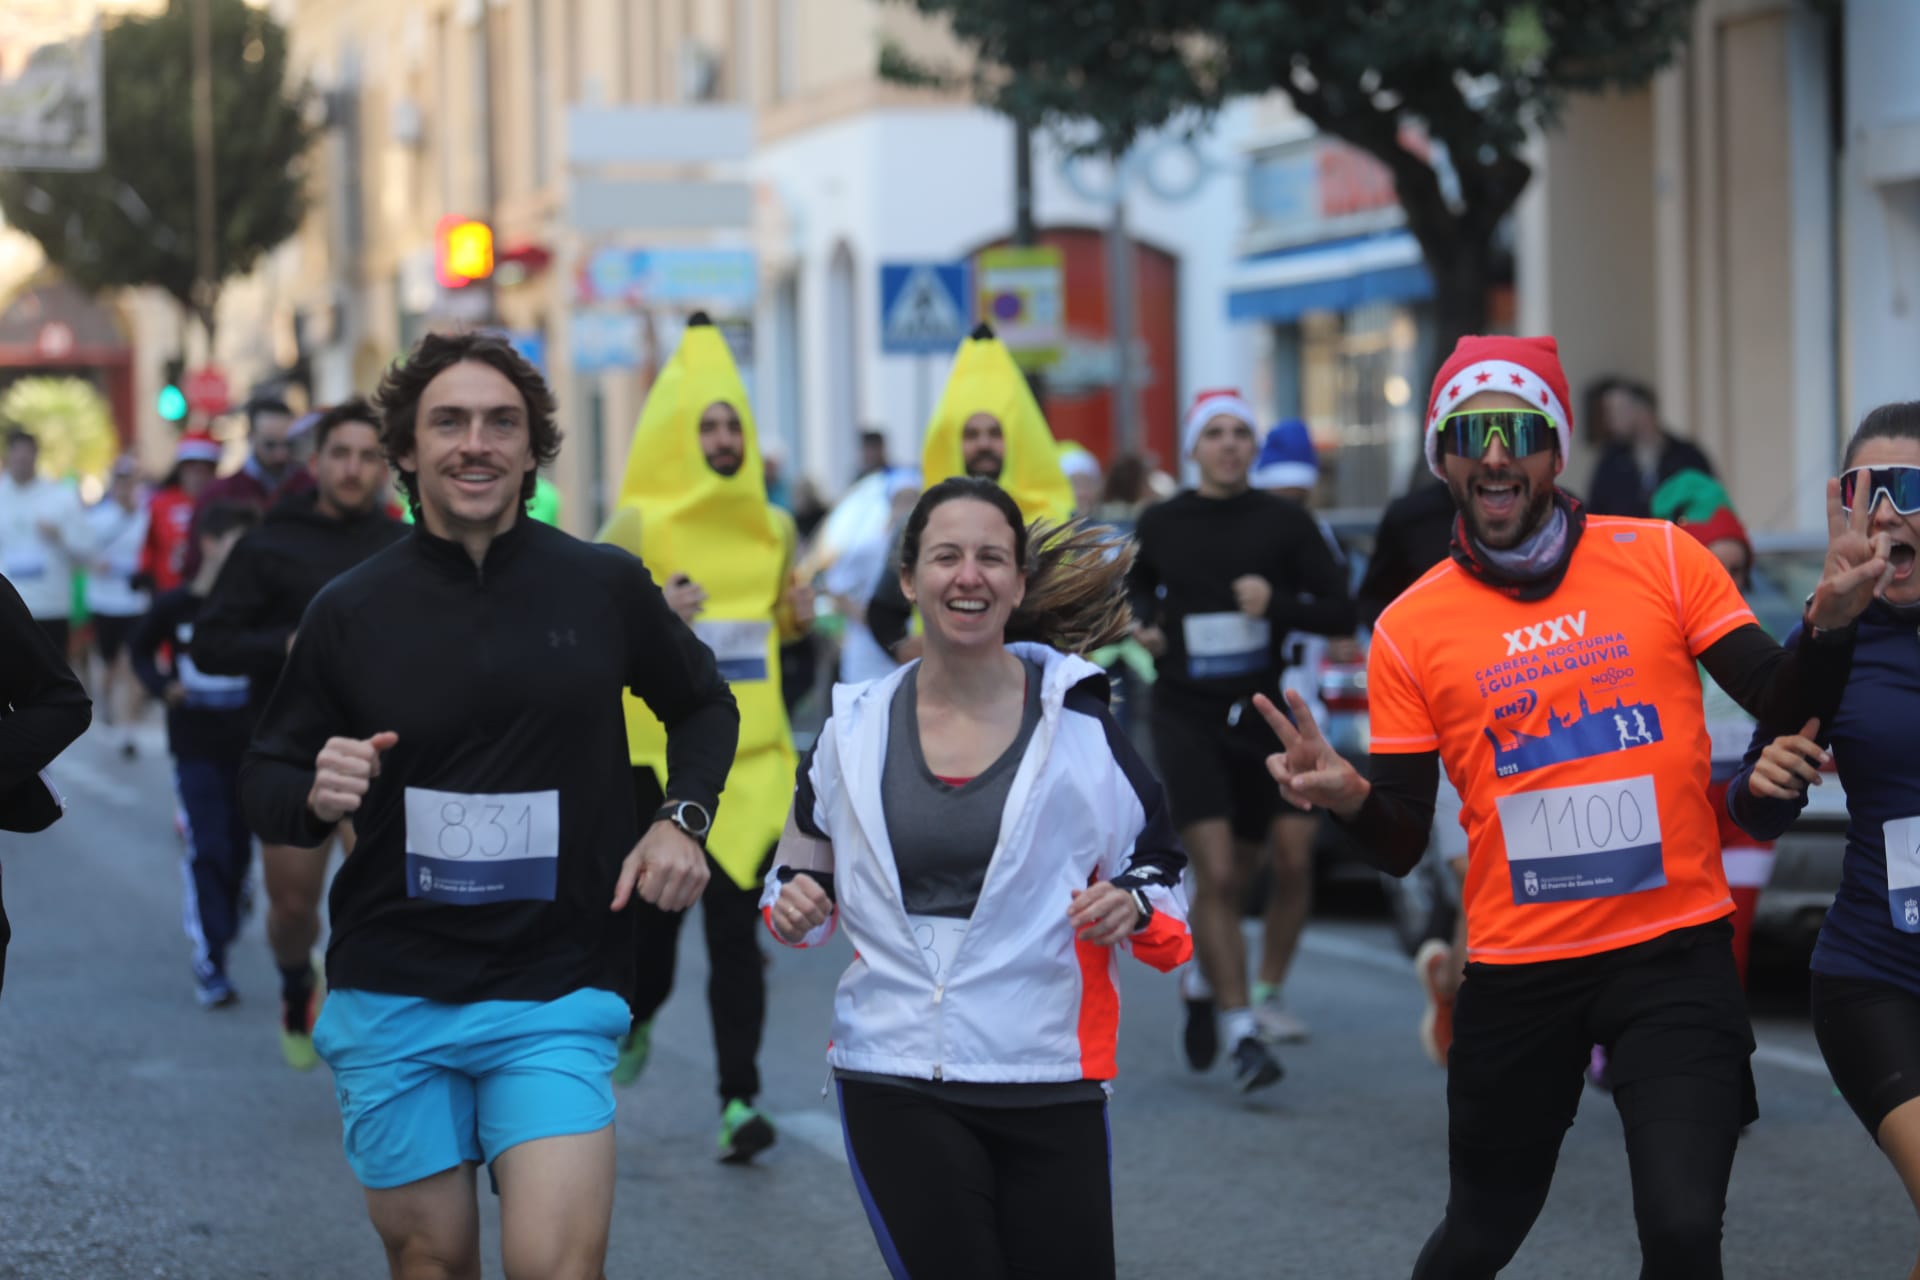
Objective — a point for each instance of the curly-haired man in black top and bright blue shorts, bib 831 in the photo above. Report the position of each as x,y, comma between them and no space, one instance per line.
460,698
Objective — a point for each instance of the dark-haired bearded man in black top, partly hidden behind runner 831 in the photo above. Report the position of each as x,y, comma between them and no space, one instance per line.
249,625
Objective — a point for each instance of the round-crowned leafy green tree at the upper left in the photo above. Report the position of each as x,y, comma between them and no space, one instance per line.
132,222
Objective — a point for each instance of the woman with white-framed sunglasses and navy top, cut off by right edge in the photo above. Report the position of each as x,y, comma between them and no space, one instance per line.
1867,962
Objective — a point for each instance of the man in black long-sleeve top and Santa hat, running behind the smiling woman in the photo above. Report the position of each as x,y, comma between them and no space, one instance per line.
1222,577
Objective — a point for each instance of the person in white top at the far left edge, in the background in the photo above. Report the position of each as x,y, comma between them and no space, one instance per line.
43,531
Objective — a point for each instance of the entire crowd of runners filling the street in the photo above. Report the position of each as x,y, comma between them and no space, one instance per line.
1074,721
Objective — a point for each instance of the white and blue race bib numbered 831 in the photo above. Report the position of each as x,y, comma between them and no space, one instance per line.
471,849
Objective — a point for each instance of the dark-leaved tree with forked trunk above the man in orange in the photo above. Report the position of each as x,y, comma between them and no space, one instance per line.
1406,82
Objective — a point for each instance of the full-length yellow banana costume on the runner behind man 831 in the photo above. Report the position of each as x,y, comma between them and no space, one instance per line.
683,517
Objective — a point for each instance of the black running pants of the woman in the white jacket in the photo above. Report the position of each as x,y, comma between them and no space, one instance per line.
969,1193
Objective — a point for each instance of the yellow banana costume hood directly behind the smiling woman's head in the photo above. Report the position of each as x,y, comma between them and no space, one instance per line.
988,381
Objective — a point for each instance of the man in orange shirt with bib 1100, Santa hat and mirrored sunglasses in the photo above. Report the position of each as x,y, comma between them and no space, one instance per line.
1550,665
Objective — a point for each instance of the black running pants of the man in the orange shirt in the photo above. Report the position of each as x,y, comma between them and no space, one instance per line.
1675,1026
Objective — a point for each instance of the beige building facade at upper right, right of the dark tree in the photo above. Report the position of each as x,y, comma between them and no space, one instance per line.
1746,239
